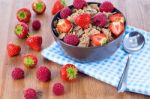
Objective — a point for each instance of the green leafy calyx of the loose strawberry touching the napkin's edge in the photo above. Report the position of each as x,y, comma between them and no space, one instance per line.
71,72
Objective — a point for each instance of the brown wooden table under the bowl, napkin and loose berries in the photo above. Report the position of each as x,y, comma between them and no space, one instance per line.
137,13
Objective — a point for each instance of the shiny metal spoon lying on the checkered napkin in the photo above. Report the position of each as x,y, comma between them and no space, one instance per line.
132,42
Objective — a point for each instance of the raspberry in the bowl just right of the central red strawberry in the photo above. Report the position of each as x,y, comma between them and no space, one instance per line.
100,19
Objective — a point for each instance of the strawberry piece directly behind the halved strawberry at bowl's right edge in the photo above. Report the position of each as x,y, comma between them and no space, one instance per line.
117,17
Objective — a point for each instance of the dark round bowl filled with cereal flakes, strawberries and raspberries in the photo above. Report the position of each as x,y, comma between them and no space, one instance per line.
89,30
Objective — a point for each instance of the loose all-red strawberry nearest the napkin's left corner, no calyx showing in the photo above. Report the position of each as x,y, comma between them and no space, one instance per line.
34,42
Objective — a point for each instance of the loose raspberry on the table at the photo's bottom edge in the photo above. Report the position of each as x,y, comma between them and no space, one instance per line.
30,94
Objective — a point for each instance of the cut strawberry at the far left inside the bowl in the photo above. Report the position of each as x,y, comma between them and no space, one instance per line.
63,26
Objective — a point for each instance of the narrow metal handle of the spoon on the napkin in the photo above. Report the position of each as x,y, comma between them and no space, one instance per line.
123,80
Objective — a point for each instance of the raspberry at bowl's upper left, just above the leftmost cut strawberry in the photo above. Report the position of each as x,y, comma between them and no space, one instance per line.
65,12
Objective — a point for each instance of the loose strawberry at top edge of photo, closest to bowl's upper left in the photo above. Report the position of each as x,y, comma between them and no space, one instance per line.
58,5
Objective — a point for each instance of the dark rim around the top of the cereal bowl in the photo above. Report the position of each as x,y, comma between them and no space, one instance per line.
93,47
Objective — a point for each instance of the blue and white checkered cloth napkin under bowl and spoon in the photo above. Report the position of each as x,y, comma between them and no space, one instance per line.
111,69
